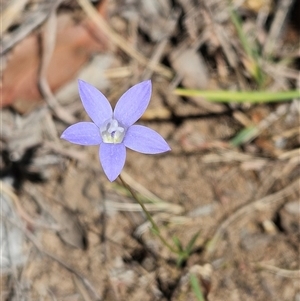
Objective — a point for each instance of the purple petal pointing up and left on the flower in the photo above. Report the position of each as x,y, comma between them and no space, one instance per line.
95,103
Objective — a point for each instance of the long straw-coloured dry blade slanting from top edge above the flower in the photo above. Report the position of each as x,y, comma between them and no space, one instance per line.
120,41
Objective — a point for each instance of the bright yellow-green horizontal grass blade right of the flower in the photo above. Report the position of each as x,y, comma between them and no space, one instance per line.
241,97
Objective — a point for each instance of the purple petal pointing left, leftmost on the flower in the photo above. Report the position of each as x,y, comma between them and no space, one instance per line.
83,133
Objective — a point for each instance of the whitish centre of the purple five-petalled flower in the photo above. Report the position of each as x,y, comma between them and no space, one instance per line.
112,132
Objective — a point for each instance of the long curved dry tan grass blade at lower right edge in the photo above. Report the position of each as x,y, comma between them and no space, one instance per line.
246,210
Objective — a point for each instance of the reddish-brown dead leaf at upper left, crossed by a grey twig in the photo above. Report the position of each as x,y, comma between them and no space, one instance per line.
75,44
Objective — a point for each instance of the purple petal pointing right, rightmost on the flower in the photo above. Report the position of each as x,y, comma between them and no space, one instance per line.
144,140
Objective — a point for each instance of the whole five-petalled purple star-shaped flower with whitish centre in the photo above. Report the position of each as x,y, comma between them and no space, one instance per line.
114,130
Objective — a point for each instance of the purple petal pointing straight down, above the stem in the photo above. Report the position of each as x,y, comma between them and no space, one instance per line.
112,158
